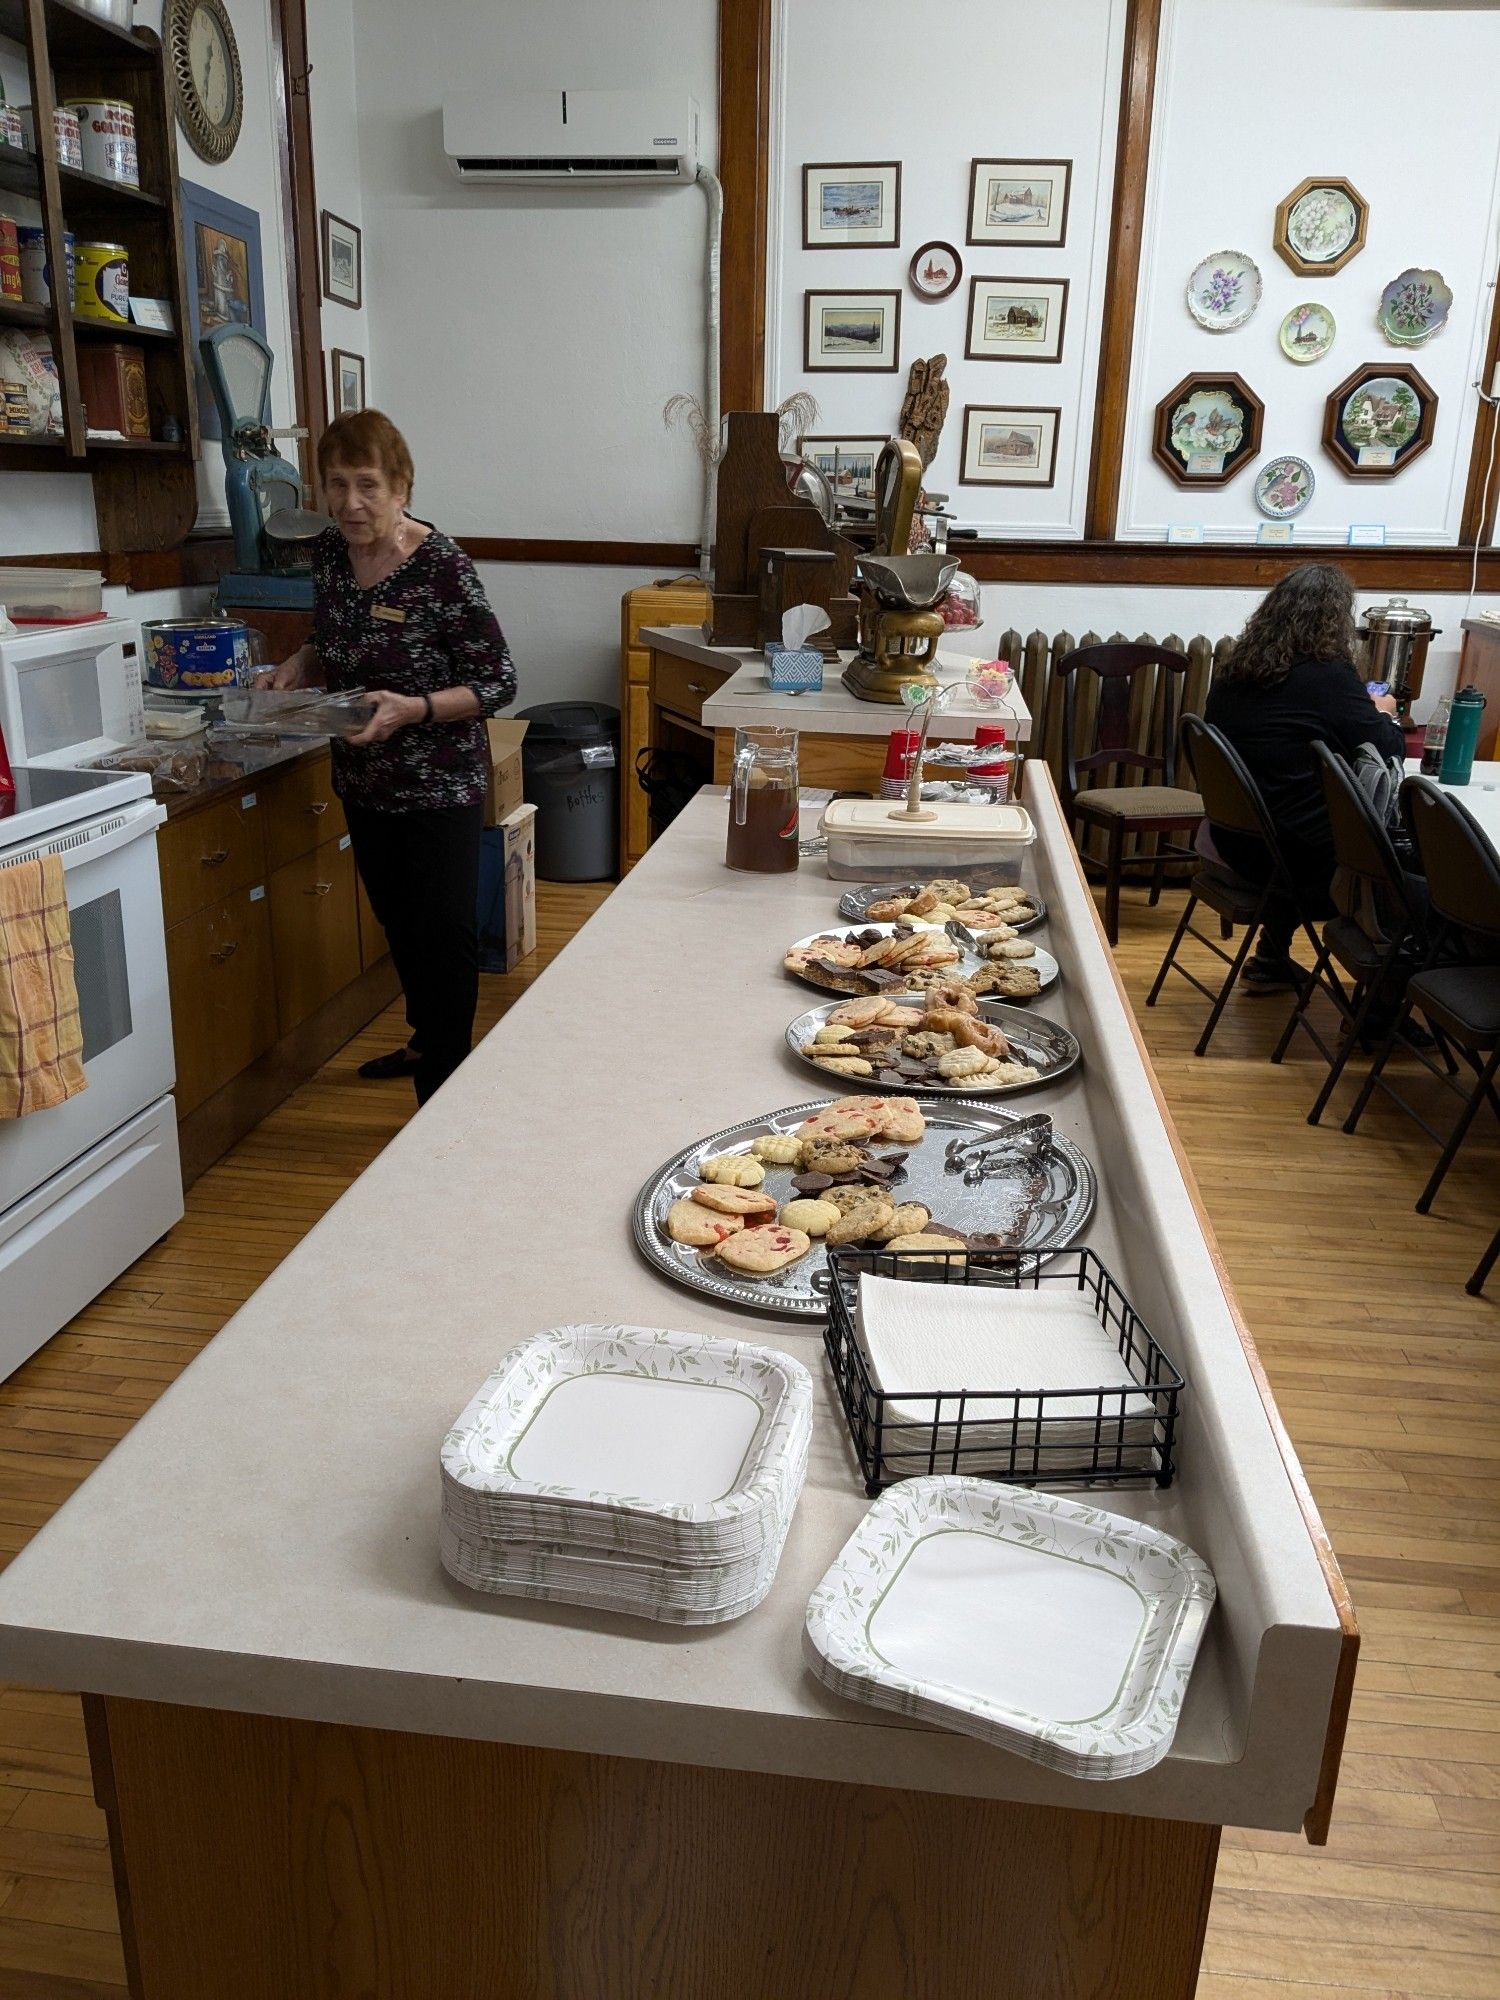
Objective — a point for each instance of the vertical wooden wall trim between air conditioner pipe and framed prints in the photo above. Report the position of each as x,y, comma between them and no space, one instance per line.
743,171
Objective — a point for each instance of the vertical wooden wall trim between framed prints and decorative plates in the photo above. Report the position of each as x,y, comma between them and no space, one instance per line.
1123,277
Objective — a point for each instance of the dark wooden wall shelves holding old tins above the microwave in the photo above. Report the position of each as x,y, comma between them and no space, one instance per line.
143,489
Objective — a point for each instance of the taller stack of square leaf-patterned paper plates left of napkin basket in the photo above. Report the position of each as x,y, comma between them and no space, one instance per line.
629,1469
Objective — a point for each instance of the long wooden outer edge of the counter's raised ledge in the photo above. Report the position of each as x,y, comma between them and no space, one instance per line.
1317,1821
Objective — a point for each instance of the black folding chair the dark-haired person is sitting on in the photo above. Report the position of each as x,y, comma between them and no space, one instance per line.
1233,801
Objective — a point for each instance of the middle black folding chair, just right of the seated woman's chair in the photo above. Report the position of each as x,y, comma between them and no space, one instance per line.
1381,915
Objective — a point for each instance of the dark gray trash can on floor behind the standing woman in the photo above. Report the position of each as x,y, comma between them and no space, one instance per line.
571,773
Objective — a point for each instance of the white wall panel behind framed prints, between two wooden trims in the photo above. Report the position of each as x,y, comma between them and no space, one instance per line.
869,81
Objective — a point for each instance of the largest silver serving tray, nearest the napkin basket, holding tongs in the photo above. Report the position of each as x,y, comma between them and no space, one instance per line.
1043,1205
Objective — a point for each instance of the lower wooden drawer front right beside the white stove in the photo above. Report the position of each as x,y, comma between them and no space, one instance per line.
223,993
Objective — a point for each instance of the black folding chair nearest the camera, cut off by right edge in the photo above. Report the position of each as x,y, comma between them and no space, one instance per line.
1459,987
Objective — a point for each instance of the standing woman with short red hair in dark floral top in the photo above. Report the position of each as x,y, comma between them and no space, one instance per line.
401,613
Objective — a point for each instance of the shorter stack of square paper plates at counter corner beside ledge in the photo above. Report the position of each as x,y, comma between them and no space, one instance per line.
1035,1623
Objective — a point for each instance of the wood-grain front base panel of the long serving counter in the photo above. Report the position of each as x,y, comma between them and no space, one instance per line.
263,1859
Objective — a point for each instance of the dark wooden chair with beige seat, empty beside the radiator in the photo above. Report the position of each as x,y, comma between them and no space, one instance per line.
1127,811
